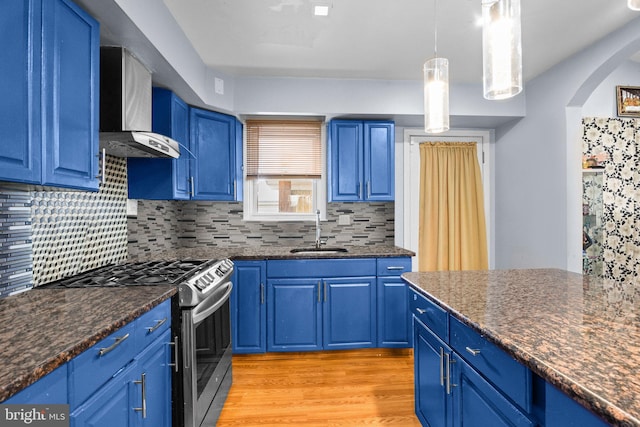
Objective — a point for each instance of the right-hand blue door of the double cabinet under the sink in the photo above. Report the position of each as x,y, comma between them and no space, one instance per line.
349,313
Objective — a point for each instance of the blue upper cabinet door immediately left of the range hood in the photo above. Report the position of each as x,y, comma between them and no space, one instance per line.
71,40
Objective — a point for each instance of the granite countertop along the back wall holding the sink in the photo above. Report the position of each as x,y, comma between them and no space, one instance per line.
272,252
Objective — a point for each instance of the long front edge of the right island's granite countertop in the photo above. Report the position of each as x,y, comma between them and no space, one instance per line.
591,401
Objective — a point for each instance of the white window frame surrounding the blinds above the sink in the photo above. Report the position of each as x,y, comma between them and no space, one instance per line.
320,190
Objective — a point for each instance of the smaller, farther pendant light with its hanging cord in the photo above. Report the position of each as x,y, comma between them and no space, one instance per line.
436,88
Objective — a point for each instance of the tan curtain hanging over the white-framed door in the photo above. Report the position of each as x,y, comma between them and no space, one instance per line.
452,222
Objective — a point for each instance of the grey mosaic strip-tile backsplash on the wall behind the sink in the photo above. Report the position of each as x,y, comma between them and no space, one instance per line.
162,225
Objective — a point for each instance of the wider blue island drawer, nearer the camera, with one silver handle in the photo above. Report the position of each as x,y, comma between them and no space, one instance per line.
507,374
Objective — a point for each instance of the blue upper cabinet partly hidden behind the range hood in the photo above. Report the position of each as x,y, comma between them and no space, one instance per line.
164,179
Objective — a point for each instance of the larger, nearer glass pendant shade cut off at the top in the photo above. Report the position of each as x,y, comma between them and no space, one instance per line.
501,49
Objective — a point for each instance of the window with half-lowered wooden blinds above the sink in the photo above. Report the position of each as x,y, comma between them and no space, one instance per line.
284,170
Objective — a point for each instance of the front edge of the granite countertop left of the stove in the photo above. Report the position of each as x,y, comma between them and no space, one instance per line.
21,382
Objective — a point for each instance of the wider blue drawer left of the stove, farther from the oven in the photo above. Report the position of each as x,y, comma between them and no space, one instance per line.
91,369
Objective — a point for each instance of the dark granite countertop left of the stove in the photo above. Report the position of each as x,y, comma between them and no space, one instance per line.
44,328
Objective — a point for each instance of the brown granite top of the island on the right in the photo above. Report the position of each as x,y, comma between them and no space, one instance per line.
579,333
